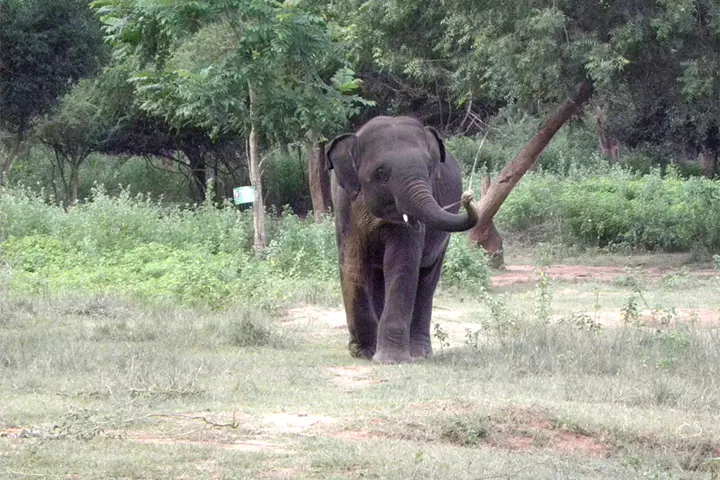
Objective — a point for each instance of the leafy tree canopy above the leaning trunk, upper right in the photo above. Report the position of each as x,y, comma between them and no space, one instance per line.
655,63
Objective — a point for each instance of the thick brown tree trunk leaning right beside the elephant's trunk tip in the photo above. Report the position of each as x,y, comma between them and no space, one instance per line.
512,173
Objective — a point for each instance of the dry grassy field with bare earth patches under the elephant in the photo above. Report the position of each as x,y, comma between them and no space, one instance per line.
586,377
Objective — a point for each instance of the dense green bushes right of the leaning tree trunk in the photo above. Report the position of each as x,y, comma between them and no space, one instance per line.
617,207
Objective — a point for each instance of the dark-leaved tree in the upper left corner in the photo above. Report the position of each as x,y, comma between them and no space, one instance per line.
45,46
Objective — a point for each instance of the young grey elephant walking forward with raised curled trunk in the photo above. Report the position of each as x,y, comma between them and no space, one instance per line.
396,193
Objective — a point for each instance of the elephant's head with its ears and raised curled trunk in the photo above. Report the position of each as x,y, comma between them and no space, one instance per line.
390,165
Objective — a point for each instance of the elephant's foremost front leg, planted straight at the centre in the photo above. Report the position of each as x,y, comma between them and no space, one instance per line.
401,265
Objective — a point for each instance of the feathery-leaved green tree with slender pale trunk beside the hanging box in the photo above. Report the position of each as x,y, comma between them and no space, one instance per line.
252,68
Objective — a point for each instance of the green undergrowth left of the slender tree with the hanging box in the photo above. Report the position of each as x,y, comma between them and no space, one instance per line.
128,245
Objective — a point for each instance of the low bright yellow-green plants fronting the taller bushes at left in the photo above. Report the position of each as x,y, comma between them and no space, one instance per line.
154,271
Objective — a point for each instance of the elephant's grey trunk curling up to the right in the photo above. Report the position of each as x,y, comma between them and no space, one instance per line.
416,200
